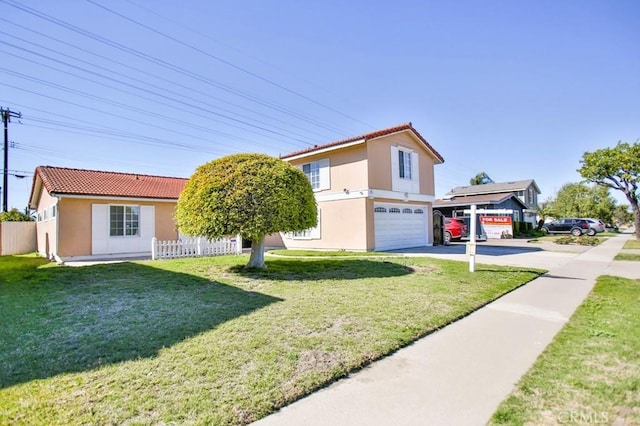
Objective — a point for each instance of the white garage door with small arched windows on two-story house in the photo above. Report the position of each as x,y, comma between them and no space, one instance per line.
399,226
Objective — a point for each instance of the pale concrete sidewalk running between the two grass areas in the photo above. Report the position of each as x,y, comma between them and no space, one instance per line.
459,375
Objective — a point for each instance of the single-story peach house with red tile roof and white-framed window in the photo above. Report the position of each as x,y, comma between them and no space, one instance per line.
88,213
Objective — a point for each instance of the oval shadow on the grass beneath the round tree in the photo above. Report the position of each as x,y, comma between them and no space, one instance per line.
315,269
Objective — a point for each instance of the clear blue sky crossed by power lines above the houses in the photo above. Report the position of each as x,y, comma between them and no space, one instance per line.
517,89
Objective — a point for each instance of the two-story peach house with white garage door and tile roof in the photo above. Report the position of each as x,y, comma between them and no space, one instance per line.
374,192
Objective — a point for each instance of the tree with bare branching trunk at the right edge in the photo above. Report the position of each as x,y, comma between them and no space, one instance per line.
617,168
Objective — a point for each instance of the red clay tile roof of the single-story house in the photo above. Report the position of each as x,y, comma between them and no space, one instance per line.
100,183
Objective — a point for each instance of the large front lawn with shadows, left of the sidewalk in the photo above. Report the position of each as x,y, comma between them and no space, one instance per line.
205,341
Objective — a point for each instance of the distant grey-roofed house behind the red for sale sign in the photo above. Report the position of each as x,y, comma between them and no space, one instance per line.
519,196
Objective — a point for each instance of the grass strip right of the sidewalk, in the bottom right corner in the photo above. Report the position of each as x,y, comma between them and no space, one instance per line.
590,374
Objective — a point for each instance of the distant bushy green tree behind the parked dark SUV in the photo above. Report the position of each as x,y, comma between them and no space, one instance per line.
582,200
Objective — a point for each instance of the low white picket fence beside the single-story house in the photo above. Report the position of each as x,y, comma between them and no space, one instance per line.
194,247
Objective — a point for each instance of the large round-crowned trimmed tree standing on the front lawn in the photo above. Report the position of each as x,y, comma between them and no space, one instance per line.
252,195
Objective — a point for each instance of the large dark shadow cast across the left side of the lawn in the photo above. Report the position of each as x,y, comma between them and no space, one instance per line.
62,319
